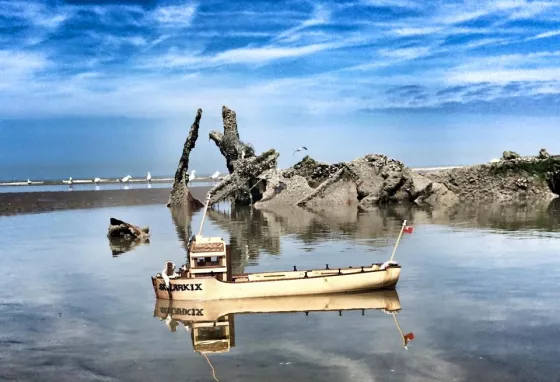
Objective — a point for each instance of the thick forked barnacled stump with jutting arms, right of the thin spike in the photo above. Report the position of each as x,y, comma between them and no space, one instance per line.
244,166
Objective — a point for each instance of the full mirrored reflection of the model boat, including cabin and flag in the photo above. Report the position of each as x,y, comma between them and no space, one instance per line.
212,325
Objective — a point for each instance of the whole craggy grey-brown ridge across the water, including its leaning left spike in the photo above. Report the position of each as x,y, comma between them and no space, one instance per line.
366,182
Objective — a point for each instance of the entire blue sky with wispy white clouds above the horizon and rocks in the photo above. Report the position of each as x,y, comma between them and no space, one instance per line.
115,85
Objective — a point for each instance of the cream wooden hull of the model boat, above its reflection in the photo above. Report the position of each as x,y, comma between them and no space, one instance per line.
290,284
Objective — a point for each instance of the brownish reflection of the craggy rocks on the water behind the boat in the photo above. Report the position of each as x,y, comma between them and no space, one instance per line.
261,229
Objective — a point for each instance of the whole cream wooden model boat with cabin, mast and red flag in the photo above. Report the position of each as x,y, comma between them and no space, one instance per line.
208,275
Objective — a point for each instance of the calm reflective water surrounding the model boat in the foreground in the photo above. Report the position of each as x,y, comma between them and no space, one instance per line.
479,290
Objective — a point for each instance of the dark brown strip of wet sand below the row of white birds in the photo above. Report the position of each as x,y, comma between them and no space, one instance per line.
15,203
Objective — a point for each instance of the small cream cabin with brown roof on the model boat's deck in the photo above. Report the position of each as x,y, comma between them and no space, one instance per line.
209,256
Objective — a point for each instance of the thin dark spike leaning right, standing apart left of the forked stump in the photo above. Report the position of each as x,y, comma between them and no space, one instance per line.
180,193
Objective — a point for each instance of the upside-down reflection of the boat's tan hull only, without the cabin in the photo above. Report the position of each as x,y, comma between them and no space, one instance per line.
212,310
